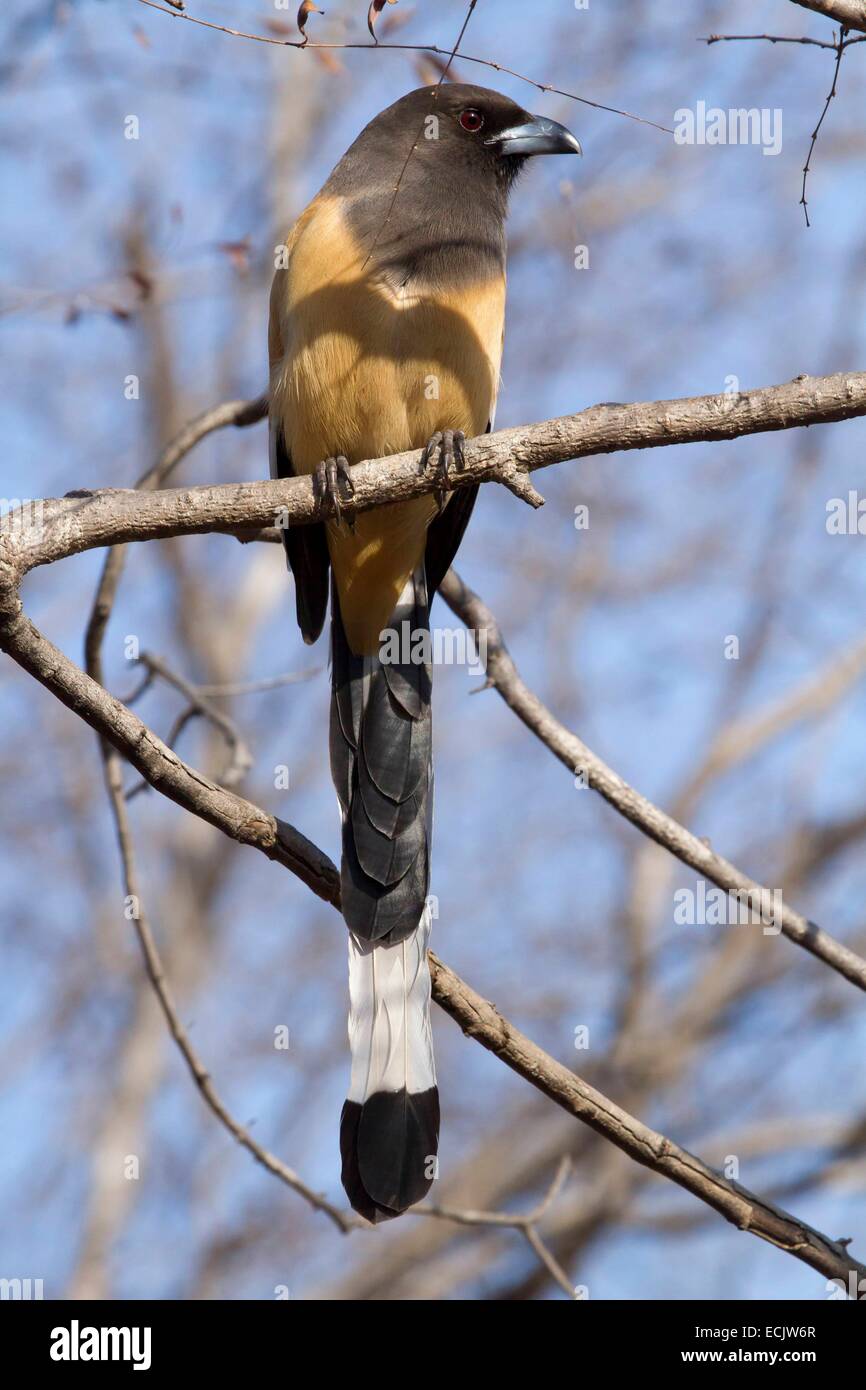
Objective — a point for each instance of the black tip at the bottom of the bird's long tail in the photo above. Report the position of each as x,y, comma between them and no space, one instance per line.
389,1147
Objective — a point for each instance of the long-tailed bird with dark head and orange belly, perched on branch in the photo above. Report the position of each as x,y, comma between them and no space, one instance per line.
387,322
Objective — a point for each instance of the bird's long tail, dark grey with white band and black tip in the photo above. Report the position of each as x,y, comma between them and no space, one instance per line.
383,772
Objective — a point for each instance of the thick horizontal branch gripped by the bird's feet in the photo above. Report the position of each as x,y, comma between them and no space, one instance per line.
81,523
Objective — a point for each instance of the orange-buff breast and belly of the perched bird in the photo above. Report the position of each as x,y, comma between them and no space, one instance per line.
368,370
